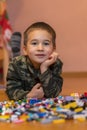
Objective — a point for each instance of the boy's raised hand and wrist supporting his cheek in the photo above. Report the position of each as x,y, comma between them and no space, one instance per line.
52,59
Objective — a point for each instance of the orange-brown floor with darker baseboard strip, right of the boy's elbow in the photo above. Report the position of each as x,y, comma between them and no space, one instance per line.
74,83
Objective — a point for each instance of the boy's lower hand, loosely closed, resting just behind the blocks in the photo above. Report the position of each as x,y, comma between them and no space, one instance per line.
36,92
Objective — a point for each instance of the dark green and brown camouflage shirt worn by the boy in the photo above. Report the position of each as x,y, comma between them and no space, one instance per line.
22,76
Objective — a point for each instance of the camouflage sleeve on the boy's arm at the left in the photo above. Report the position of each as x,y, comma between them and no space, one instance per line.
14,84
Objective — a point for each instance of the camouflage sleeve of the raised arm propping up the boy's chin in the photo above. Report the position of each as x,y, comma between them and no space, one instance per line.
52,81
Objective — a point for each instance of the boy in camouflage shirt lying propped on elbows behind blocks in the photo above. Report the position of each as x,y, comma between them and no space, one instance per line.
37,73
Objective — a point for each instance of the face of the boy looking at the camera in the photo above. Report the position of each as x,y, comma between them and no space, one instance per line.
39,46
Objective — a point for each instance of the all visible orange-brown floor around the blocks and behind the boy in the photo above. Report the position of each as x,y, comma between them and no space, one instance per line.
73,82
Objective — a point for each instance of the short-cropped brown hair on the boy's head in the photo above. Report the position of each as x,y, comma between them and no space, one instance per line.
40,25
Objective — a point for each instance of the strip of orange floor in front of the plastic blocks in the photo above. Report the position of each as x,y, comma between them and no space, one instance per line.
68,125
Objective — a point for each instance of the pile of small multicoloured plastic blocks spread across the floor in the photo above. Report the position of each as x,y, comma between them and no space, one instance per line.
51,110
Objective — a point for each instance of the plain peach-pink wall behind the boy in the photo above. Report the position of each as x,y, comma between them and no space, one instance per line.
68,18
